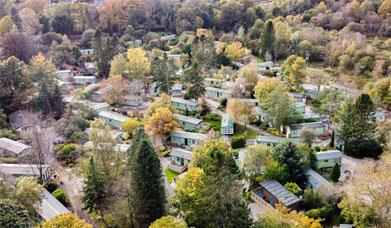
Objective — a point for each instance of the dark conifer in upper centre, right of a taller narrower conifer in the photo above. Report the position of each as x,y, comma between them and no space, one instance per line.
194,81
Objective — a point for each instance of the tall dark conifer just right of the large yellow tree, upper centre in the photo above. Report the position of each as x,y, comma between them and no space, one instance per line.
163,72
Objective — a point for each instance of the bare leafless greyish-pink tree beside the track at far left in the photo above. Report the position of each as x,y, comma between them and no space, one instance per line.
41,135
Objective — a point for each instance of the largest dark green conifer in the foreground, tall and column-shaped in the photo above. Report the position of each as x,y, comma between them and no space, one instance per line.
146,203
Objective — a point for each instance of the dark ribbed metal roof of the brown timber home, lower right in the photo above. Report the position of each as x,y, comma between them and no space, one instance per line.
286,197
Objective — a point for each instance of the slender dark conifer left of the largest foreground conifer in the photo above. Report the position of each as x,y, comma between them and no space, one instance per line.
93,189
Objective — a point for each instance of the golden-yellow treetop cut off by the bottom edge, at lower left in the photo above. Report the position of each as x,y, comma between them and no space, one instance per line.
66,220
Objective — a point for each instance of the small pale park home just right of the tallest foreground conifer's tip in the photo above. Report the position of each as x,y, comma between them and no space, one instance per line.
180,159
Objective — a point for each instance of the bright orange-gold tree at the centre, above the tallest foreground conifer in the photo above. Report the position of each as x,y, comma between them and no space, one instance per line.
161,122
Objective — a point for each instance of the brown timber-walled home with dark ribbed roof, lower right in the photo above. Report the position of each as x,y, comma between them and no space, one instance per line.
274,193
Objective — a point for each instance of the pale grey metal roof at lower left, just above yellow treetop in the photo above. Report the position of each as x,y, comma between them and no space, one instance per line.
50,206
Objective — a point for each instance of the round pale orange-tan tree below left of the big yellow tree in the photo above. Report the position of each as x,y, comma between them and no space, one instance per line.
115,89
